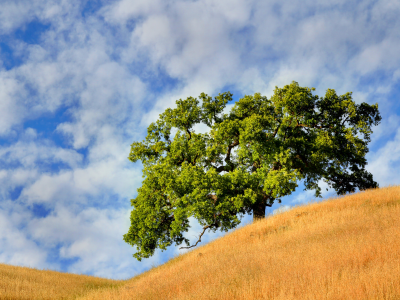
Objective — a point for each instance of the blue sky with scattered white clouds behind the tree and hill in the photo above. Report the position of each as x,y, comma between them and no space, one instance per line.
81,80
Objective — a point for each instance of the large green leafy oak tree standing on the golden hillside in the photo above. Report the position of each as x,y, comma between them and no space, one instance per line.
250,158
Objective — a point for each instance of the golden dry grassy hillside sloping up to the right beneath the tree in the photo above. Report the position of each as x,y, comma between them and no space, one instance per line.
341,248
